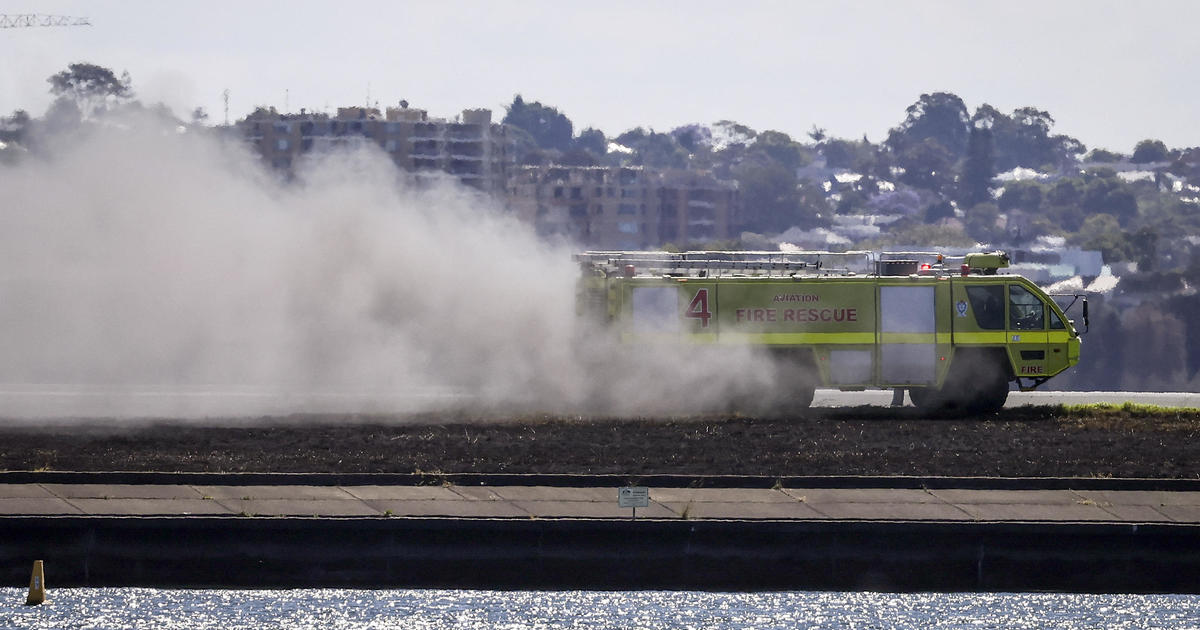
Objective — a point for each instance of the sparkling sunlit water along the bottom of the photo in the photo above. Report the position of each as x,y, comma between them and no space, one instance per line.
471,610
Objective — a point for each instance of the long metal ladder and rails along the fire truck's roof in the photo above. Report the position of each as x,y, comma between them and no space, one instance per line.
759,262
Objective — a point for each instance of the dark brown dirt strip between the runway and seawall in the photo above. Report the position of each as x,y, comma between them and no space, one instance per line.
1025,442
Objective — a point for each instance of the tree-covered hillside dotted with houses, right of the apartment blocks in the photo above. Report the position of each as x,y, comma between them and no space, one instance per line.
937,169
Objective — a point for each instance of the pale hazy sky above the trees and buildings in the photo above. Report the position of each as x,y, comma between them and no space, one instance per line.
1111,73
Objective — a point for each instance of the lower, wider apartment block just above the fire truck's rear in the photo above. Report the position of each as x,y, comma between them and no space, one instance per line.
626,208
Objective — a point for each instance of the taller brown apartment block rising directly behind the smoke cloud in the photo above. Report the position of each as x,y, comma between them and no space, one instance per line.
472,148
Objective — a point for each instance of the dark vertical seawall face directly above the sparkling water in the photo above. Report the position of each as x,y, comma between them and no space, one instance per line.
602,555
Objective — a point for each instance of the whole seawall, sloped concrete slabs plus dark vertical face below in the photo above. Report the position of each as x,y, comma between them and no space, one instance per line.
203,532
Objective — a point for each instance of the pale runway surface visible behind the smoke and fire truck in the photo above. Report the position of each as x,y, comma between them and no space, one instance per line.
61,401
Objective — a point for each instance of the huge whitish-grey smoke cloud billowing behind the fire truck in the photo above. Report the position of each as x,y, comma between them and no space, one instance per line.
135,257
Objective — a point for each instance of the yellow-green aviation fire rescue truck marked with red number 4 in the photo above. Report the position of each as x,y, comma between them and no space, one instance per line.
951,331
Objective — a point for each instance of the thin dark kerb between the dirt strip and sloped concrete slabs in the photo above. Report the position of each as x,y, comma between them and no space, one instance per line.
584,481
